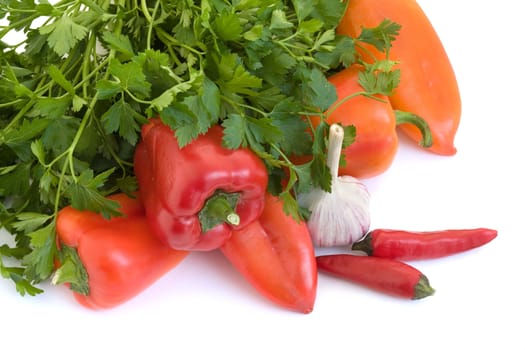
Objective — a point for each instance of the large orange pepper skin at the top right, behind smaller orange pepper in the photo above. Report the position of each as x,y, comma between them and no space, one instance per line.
428,86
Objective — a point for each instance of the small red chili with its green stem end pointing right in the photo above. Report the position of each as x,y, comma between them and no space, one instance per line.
385,275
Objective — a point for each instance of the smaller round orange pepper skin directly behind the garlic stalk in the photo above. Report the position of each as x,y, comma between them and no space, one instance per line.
376,141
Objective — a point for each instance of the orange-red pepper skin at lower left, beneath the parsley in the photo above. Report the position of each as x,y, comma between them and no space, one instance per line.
121,255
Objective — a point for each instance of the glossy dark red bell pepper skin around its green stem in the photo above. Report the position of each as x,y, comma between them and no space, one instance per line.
175,183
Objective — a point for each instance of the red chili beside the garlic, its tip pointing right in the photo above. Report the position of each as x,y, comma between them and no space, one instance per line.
412,245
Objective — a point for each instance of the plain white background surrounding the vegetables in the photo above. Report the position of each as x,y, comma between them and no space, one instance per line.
480,296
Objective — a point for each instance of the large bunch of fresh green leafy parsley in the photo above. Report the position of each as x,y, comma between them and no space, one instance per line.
86,74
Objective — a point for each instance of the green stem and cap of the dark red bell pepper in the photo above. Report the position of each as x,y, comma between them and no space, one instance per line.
218,209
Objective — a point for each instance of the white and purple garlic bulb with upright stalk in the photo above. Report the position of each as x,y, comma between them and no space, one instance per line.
342,216
